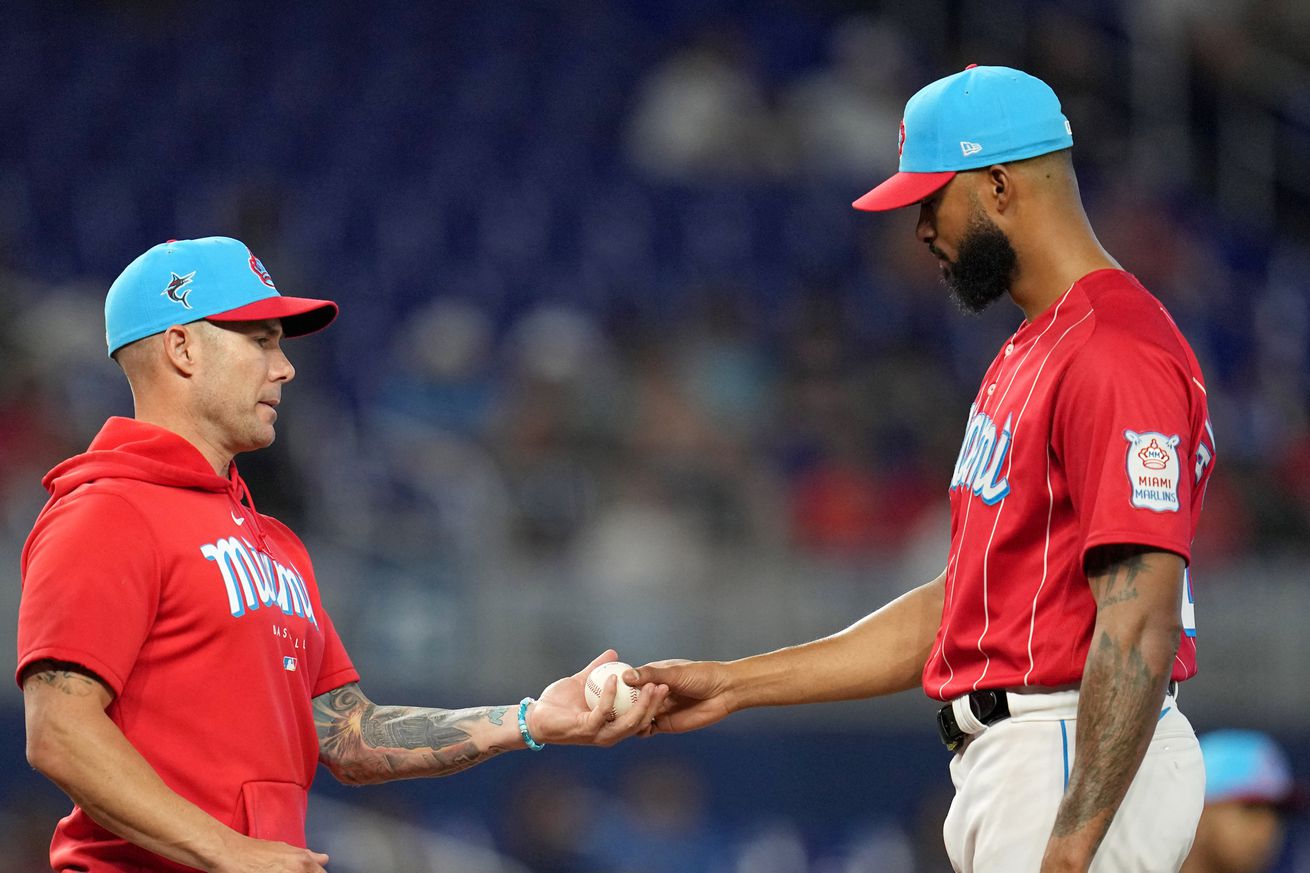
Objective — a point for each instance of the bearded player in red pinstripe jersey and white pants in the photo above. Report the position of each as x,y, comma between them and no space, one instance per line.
1062,627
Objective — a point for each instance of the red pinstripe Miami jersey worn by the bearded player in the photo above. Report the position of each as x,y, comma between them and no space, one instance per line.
1091,429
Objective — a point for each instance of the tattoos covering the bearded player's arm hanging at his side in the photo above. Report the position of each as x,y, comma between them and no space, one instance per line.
1122,688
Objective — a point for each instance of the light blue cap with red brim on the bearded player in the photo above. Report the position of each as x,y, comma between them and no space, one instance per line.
975,119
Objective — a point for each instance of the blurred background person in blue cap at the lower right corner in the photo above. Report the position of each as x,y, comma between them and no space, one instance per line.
1249,794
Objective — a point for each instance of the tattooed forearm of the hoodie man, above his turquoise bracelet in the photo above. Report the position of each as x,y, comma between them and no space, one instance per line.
364,743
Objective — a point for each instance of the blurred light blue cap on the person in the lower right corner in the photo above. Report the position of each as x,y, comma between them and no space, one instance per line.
1248,766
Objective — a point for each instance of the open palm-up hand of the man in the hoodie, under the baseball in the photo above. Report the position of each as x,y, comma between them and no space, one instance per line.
561,715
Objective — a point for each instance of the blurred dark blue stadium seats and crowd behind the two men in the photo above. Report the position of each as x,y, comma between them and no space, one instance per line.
619,366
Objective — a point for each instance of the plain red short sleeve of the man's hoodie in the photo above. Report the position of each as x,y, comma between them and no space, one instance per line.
91,588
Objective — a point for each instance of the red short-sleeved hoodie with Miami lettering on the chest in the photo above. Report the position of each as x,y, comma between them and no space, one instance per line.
201,615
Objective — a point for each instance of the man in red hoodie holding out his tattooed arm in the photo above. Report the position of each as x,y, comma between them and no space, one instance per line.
181,674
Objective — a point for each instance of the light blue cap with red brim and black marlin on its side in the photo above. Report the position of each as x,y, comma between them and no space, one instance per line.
214,279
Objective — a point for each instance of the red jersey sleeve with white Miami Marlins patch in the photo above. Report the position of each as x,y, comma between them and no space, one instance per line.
1121,431
